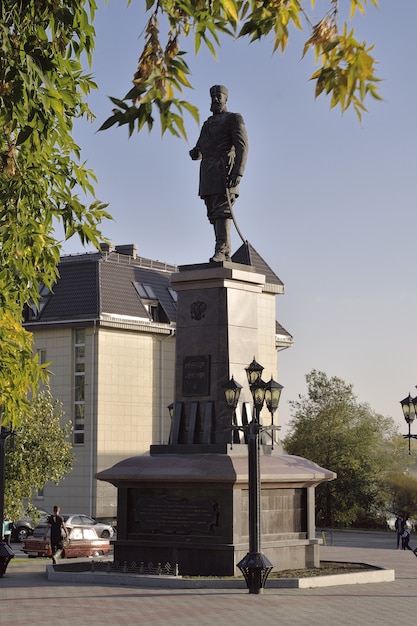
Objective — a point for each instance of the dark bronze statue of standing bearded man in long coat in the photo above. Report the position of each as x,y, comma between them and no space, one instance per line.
222,148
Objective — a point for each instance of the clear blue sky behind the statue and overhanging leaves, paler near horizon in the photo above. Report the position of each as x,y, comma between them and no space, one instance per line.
329,203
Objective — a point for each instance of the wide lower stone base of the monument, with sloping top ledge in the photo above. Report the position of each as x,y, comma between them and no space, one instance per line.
191,509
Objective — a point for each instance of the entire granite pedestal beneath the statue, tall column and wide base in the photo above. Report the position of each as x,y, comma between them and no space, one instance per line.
186,503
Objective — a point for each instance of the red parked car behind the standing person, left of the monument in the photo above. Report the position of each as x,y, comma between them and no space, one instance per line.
82,541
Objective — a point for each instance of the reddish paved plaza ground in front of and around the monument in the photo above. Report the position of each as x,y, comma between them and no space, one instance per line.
27,597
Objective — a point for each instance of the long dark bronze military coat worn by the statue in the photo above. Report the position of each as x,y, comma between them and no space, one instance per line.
223,146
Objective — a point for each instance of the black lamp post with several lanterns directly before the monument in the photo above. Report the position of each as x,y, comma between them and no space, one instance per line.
255,566
